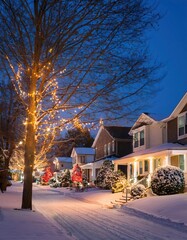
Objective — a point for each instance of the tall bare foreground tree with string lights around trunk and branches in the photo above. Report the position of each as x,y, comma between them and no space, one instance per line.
74,59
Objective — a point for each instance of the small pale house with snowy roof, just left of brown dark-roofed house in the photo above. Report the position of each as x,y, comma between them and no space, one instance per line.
84,156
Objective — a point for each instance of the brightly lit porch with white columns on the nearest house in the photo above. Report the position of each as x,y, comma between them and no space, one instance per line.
144,163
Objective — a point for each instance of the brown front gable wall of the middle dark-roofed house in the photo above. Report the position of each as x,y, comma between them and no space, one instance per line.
103,139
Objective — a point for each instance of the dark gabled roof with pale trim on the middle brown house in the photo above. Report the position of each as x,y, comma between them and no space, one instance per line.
116,132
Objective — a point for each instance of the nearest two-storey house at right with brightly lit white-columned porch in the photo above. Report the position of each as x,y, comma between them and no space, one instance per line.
157,143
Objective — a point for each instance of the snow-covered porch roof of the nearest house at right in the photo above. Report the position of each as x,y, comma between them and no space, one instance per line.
159,148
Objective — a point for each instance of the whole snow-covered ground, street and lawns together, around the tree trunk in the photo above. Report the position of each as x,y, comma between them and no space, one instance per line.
61,214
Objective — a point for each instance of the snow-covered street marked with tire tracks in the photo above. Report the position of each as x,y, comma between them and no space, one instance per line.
82,220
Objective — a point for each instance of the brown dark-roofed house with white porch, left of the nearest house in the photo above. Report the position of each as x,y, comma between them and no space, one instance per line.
111,142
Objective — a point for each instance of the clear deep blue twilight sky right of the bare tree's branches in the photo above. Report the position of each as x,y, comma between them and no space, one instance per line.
168,45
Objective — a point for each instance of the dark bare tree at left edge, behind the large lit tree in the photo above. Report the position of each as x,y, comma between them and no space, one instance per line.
10,129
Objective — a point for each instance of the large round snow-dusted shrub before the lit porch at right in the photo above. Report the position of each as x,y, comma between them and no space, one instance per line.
168,180
